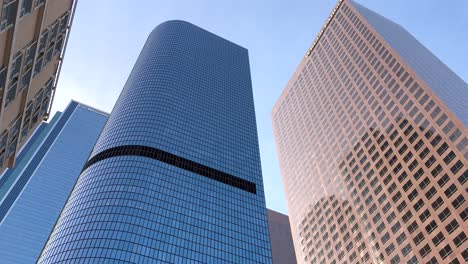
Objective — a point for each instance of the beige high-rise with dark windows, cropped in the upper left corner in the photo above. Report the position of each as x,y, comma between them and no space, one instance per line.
33,36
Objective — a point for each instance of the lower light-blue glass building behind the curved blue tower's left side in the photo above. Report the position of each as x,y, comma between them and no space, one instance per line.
33,193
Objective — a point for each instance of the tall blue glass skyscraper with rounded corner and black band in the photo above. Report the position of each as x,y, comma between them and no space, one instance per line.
175,176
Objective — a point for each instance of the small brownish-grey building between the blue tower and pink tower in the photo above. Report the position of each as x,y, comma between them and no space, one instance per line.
282,247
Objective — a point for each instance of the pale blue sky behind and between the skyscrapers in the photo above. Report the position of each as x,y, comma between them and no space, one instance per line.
107,36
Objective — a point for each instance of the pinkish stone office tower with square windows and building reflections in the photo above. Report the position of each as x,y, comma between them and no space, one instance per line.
371,132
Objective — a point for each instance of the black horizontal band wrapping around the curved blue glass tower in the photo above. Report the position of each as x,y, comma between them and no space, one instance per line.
174,160
